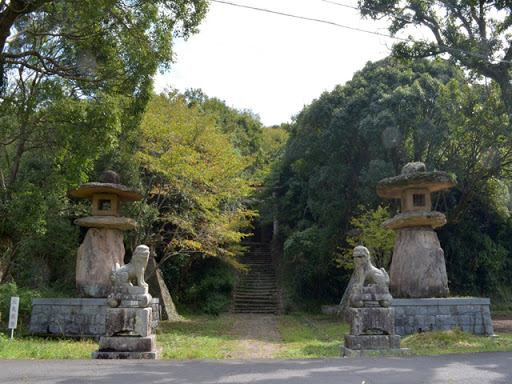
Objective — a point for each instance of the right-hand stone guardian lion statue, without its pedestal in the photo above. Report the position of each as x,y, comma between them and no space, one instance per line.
377,288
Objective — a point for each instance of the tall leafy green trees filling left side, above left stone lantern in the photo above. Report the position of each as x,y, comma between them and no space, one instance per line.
70,91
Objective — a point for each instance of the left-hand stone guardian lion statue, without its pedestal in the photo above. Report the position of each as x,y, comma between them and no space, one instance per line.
123,291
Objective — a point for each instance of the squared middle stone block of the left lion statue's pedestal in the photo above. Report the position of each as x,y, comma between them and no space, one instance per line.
128,320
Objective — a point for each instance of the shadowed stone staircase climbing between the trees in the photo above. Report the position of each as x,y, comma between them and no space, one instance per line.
256,291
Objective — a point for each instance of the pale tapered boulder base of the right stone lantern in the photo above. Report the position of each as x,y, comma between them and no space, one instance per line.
418,268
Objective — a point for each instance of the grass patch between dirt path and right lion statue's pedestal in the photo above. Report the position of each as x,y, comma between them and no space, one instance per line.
308,336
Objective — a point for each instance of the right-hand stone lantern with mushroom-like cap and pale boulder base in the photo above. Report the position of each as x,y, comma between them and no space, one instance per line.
418,267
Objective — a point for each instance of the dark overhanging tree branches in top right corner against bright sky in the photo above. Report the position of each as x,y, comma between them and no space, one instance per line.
473,33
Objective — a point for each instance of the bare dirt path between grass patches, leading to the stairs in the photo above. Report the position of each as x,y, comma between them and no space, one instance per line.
259,336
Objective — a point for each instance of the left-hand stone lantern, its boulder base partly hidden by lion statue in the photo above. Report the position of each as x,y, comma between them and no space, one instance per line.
103,245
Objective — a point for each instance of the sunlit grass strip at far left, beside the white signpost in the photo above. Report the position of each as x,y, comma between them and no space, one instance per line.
28,347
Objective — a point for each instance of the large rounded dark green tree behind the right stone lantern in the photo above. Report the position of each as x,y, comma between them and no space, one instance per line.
389,114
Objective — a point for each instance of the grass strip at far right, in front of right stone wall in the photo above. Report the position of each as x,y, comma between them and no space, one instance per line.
455,341
